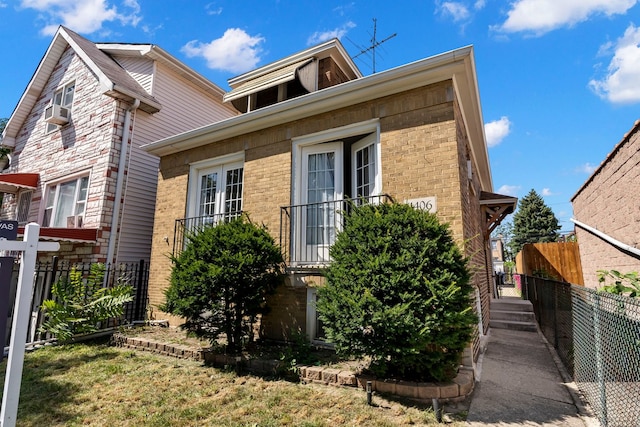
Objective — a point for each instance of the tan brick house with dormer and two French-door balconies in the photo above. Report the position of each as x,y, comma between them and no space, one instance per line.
315,132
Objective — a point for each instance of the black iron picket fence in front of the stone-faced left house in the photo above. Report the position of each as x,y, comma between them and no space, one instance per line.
48,273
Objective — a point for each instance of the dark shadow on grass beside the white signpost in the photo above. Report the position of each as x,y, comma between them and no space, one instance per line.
44,392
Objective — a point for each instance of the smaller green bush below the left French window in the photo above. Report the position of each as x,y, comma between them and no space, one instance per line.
220,280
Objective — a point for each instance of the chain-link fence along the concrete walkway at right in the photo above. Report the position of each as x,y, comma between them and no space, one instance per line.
597,336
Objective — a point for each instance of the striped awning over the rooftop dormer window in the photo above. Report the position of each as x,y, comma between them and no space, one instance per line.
274,78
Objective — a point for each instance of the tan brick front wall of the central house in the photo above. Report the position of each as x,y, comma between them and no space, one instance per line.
420,157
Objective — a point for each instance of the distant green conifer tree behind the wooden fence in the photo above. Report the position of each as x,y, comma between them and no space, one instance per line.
534,222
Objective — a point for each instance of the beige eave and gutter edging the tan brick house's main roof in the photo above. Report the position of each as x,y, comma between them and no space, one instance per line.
457,65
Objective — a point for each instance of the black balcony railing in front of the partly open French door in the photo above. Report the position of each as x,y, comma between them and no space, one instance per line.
308,231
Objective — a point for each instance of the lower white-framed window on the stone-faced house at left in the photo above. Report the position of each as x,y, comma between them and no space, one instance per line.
65,203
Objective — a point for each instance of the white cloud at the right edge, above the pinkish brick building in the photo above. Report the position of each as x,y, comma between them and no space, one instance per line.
621,85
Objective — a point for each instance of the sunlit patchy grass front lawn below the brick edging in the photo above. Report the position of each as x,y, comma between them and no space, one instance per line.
92,384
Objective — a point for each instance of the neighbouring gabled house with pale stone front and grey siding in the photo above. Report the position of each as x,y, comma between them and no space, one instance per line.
70,171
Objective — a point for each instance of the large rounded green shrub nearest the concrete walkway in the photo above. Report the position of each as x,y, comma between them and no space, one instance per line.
398,291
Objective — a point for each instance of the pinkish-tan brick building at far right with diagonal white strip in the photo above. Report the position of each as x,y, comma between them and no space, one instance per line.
607,213
